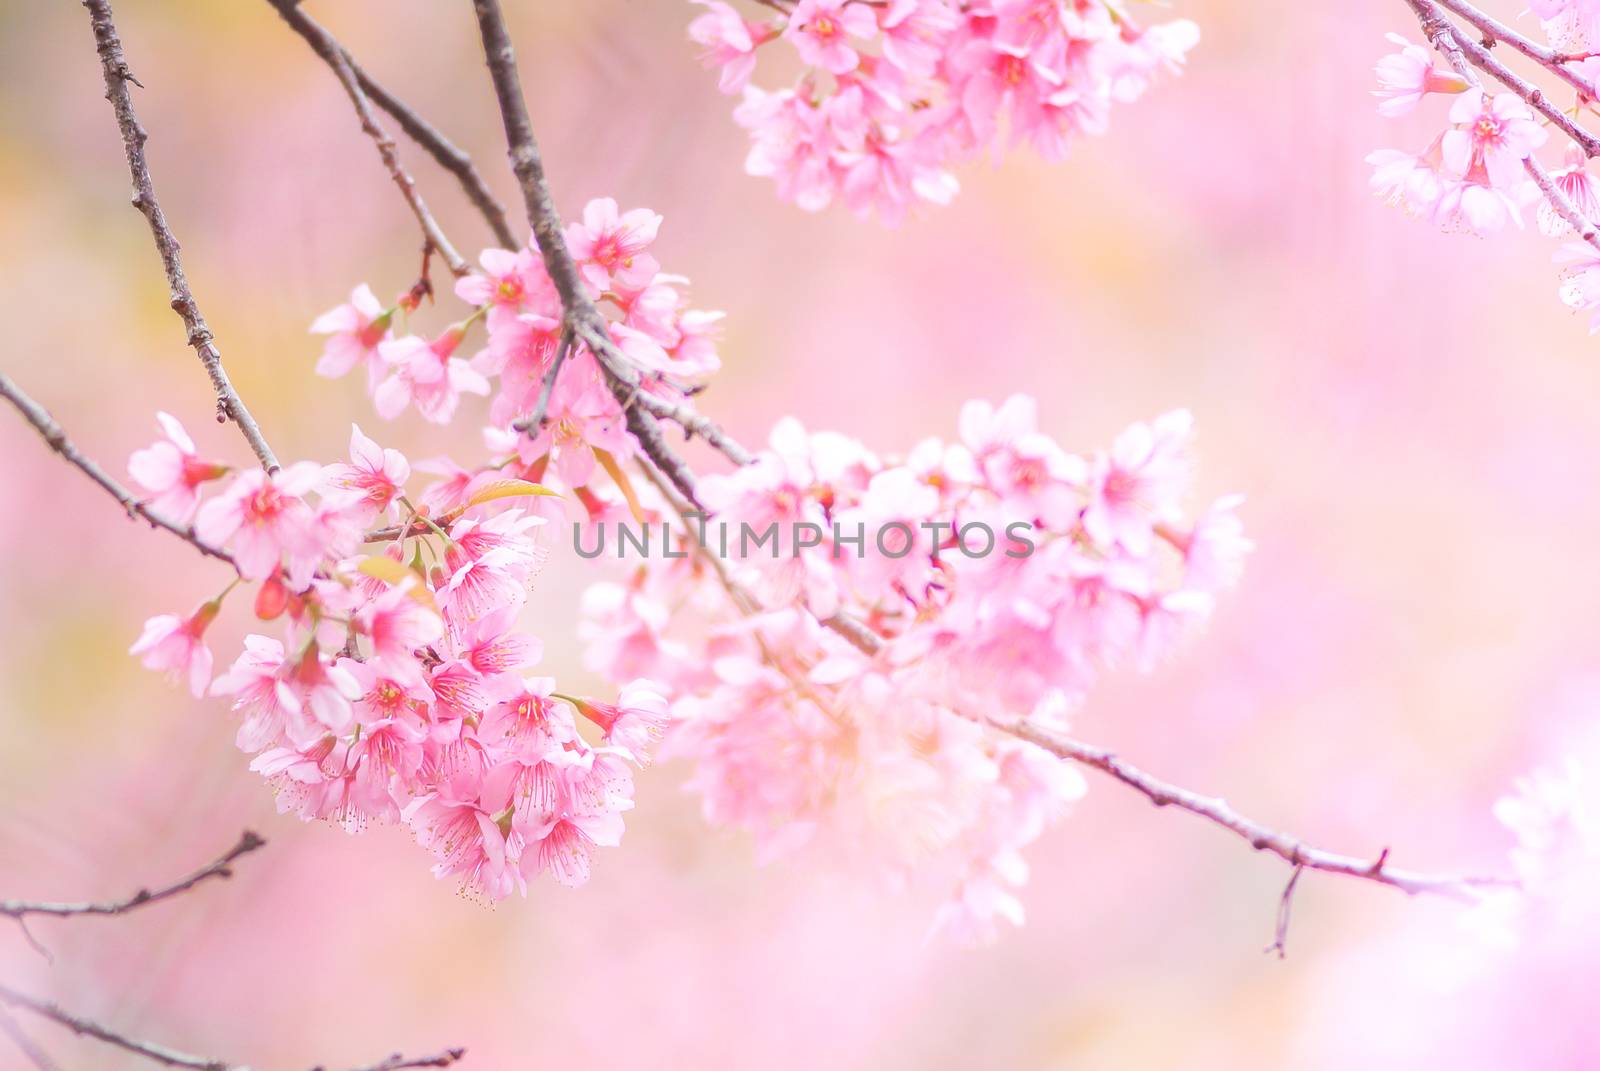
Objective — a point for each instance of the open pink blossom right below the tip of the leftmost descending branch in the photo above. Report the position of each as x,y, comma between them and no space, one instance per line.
268,521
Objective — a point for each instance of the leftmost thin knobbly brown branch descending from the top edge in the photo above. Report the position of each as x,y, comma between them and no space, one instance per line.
114,68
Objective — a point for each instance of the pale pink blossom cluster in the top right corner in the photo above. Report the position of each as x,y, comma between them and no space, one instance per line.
1474,175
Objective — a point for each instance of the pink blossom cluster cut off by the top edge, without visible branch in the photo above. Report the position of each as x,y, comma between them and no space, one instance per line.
897,90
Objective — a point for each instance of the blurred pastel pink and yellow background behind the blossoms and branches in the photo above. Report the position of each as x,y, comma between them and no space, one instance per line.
1410,415
